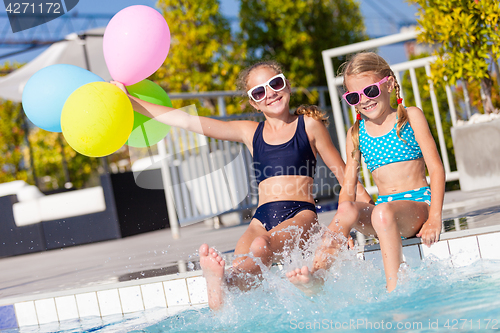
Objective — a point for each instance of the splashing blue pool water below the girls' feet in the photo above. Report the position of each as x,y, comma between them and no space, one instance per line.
431,297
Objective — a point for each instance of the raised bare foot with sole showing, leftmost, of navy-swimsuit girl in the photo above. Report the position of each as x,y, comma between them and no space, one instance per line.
212,265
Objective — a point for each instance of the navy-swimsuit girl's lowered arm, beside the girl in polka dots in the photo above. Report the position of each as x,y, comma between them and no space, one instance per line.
330,155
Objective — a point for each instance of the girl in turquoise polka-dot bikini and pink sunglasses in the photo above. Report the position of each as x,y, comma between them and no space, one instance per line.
397,146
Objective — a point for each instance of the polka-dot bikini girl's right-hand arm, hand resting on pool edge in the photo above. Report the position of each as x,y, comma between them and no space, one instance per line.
431,229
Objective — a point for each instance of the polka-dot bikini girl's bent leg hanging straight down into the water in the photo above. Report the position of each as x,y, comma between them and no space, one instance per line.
391,220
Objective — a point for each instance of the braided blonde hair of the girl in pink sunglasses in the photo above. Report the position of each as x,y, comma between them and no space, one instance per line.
365,62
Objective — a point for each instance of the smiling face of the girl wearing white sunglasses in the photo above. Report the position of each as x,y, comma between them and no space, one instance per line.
275,102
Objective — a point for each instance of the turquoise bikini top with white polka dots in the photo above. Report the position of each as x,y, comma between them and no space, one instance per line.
389,148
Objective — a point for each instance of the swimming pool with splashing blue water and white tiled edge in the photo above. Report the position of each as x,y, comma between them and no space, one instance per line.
453,285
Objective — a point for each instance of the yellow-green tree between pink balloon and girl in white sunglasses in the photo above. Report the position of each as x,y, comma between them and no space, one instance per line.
203,55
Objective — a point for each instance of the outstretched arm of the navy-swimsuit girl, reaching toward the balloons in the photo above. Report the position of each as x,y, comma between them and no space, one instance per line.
239,131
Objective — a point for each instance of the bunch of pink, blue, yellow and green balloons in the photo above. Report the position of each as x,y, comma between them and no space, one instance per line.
96,117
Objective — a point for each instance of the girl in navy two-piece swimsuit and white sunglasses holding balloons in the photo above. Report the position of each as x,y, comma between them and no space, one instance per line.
284,149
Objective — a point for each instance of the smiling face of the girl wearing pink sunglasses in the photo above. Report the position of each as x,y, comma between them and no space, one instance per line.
371,108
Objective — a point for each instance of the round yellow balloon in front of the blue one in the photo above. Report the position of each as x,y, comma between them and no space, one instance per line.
97,119
